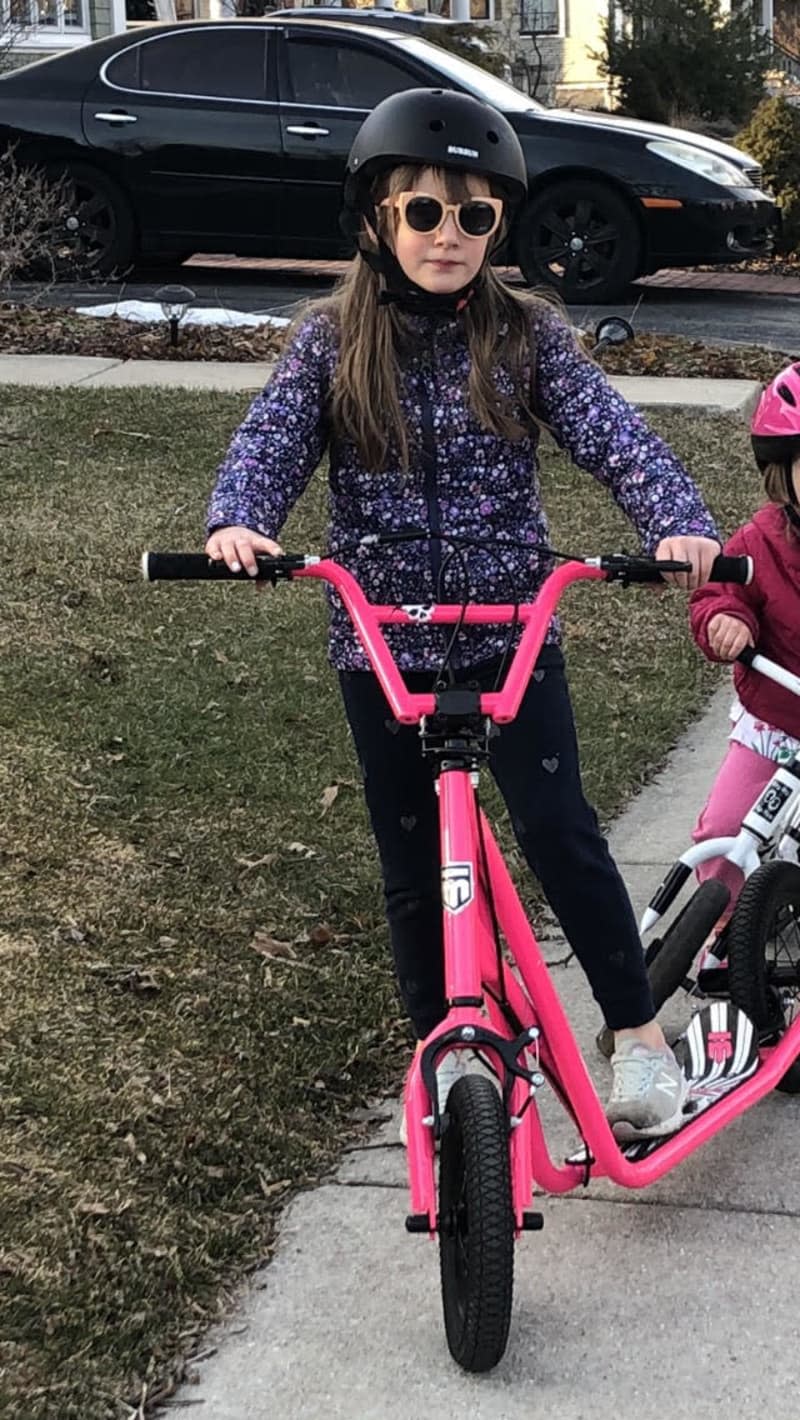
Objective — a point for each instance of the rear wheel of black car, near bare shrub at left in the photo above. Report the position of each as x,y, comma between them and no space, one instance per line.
102,231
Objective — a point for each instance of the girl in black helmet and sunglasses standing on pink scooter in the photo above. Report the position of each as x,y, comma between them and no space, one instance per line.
428,381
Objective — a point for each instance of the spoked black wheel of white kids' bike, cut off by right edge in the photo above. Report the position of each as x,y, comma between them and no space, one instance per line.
764,939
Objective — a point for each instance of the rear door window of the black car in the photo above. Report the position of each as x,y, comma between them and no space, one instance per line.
218,63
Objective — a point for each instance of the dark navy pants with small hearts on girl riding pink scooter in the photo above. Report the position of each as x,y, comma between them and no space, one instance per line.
535,763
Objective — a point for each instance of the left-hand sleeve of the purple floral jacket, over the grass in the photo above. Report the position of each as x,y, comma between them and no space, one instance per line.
279,445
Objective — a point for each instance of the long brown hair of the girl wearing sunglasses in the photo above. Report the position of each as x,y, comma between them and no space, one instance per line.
366,403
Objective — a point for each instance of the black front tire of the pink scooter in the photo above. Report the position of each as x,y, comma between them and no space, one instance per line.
477,1225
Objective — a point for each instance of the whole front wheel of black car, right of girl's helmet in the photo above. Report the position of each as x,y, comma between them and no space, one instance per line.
571,212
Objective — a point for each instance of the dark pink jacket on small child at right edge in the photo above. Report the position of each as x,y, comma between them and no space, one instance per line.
769,607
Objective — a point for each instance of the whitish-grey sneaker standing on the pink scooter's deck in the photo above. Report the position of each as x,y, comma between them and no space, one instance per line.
647,1094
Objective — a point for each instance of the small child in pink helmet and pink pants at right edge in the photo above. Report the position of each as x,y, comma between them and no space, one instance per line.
725,620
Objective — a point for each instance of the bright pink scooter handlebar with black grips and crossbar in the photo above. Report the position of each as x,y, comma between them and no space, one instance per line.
367,618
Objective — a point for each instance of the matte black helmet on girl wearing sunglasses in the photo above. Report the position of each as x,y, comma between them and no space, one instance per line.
436,129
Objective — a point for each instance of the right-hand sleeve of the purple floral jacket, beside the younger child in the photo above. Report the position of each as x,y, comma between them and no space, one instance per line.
609,438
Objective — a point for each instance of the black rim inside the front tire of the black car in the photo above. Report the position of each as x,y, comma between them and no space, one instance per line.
576,244
